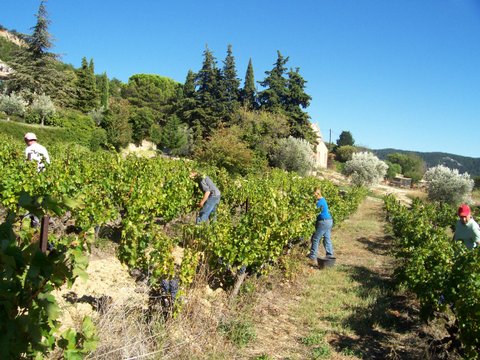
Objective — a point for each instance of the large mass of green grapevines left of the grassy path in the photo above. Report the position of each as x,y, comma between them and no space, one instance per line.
152,203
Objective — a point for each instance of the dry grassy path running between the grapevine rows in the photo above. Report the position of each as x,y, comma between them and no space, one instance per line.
345,312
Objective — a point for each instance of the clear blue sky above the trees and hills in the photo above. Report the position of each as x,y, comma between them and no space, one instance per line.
395,73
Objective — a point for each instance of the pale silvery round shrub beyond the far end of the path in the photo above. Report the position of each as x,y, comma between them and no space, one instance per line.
365,169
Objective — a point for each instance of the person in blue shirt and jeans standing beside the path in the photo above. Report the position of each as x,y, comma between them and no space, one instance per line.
323,228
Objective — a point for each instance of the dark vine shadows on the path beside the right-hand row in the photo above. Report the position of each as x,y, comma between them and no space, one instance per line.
387,328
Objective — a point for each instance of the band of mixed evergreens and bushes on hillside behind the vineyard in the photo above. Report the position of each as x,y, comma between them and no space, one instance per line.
189,119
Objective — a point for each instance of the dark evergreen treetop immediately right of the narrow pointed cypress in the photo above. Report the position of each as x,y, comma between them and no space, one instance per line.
273,97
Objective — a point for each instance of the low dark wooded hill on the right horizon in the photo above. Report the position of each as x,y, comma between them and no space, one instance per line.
462,163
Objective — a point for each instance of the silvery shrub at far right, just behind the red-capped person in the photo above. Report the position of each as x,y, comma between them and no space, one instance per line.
447,185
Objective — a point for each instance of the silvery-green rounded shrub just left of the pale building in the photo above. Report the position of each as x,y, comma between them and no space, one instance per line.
293,155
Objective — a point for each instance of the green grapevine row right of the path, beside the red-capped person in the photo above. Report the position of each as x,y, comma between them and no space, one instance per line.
443,274
